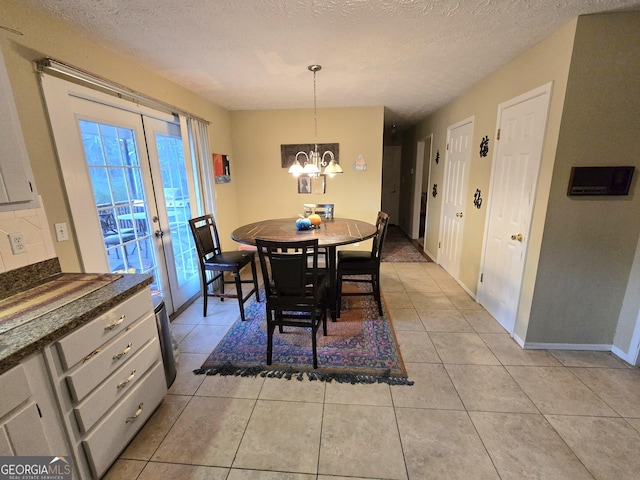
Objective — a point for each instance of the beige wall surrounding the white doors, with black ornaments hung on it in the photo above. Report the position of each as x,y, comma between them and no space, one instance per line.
547,62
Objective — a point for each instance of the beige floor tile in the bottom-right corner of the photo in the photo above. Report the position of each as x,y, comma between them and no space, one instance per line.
609,447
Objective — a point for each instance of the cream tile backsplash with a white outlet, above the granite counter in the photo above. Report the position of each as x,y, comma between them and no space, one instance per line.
33,225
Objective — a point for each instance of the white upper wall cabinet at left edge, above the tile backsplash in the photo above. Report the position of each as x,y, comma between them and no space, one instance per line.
17,189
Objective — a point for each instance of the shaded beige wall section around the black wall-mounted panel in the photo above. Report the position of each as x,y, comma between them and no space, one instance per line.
590,242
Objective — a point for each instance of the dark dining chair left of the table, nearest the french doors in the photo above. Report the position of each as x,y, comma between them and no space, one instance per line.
214,260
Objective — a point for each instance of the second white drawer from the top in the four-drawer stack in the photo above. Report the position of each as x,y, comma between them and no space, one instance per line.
110,357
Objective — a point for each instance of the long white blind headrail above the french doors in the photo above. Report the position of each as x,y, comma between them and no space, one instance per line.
50,65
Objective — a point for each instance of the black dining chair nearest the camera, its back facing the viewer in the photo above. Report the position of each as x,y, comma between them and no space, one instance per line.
296,290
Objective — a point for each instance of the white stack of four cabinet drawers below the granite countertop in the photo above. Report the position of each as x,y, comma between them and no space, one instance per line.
109,378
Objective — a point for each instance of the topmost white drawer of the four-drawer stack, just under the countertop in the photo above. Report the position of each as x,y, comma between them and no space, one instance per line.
77,345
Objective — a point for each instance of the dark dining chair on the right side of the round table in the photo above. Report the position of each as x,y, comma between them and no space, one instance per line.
363,267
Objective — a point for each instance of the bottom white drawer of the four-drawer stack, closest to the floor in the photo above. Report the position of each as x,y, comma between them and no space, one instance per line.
113,433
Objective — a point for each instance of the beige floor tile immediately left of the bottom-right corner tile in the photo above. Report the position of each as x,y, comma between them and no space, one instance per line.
525,446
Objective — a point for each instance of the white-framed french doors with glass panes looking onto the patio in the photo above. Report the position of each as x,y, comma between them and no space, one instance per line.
130,189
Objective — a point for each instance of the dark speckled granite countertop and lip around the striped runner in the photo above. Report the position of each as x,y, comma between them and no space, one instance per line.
21,341
